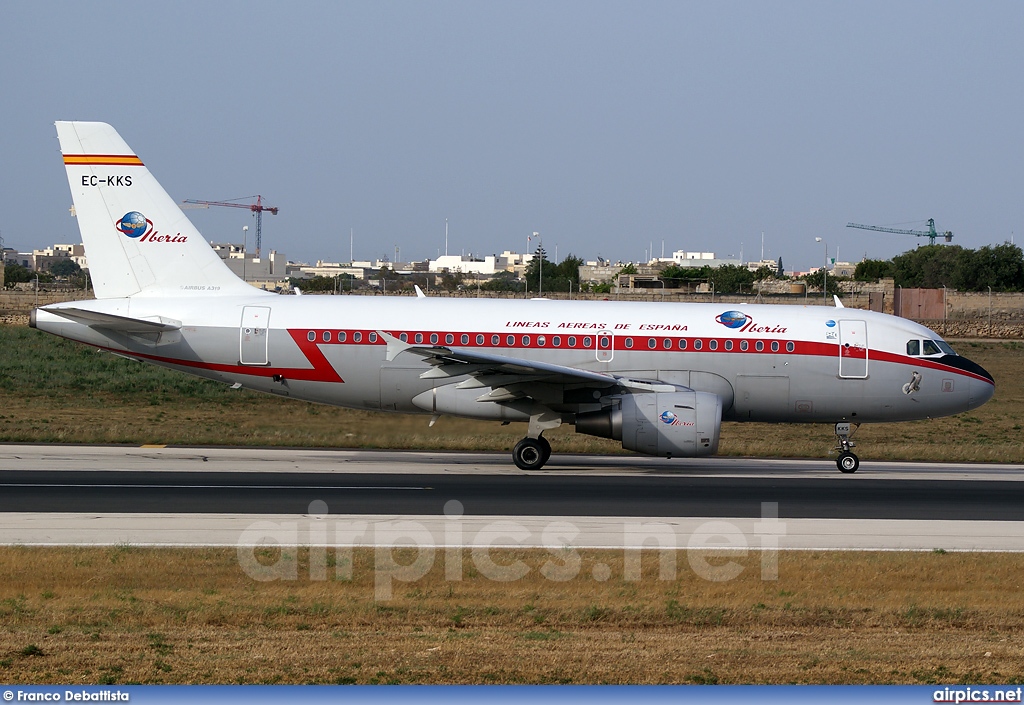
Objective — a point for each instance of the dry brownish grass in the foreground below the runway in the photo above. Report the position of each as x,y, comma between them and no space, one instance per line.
135,615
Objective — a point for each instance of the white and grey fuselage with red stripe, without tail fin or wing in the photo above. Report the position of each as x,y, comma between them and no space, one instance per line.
769,363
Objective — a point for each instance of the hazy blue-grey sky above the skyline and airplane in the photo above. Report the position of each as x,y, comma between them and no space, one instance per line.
607,127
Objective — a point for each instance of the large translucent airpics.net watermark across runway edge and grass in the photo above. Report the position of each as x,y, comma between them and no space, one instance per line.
711,549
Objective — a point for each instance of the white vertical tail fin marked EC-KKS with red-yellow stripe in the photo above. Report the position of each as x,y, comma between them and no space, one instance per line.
137,238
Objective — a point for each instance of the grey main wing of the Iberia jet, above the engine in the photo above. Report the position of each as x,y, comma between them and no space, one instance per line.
503,372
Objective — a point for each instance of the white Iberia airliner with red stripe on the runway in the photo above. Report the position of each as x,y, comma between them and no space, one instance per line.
659,378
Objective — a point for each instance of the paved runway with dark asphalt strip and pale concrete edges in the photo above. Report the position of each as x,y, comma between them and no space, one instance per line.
94,494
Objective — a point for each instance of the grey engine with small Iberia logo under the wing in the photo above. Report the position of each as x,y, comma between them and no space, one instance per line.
677,424
